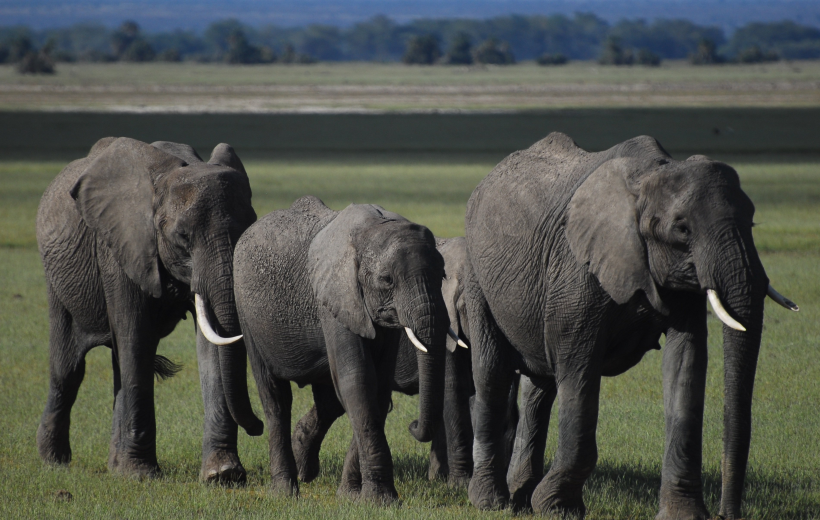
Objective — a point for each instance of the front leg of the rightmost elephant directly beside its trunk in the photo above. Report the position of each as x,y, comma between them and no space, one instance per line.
684,377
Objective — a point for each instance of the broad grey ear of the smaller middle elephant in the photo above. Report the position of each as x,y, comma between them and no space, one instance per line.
333,268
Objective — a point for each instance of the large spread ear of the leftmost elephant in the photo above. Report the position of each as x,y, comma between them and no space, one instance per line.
115,198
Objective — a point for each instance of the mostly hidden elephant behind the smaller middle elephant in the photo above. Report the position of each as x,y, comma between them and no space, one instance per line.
451,457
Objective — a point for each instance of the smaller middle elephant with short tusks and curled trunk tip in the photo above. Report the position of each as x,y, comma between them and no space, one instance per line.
323,297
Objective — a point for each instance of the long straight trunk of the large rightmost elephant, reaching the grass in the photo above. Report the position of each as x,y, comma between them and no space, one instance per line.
741,284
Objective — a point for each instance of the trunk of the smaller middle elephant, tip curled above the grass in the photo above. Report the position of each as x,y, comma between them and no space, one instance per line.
426,316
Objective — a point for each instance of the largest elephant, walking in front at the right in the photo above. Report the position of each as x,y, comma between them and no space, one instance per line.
580,261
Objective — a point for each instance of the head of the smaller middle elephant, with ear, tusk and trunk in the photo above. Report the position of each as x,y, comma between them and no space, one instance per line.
373,268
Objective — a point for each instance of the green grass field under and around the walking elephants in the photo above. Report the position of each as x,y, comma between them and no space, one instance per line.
784,474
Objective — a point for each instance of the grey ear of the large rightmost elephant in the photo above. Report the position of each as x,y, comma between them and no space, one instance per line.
603,231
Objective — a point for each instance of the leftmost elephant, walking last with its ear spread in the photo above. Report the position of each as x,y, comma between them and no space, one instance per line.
126,236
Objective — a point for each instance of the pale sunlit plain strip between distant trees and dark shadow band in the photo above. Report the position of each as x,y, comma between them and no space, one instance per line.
194,87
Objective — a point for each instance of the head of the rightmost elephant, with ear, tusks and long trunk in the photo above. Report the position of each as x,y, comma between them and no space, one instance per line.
652,225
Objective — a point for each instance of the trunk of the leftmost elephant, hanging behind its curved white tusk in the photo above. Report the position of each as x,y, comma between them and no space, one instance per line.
215,281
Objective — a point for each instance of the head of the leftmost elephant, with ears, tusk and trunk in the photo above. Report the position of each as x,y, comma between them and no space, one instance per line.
171,222
